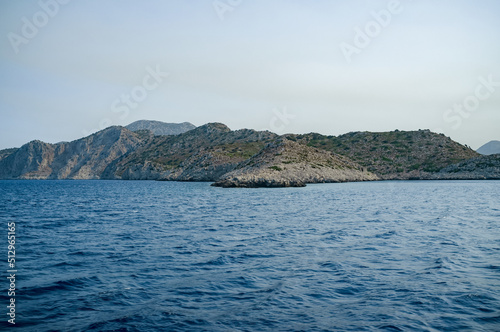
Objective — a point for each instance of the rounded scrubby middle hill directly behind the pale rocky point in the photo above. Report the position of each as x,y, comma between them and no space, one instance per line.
201,154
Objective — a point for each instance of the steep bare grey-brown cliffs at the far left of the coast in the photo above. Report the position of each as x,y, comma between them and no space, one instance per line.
86,158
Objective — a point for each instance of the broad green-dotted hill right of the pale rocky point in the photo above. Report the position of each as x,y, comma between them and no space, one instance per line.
395,154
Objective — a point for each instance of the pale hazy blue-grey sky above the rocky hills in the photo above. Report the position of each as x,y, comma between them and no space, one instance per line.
69,68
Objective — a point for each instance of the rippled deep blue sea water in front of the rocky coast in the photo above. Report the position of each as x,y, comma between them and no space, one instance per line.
176,256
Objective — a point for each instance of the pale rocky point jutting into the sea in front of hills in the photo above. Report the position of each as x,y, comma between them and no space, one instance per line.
285,163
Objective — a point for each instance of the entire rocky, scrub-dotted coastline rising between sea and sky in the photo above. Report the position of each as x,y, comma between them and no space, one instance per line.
152,150
